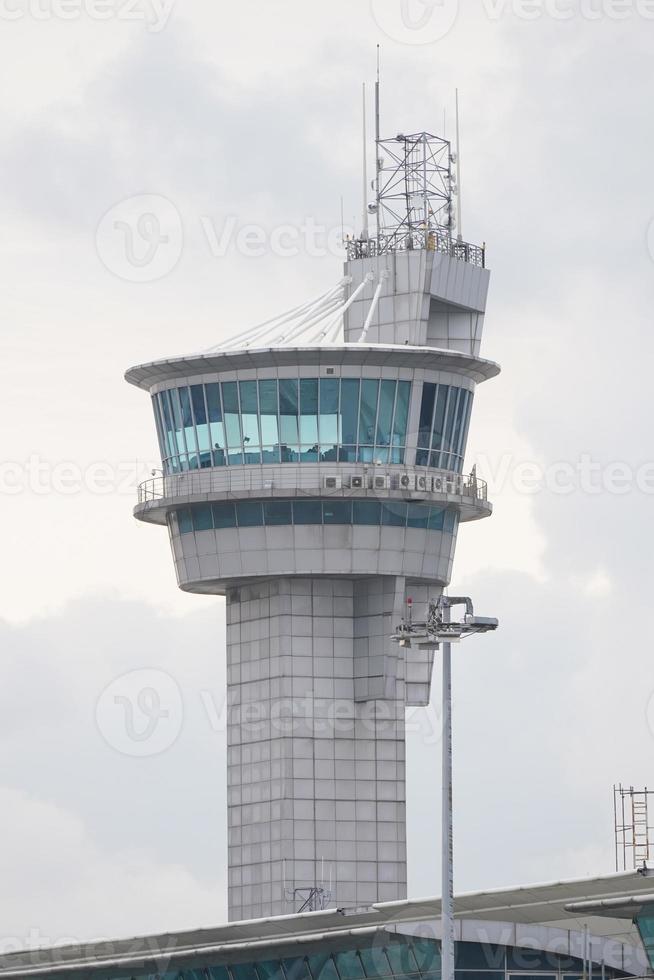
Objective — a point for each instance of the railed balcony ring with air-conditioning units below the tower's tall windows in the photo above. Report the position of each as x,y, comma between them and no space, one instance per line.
222,481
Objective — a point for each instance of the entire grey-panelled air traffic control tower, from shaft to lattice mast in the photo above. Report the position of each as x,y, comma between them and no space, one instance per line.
313,474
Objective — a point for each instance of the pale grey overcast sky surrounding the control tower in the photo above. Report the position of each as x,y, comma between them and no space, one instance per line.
247,114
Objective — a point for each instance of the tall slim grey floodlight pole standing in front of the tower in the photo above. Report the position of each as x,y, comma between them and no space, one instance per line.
438,628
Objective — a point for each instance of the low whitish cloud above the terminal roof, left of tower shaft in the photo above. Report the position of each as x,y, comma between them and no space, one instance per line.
60,885
